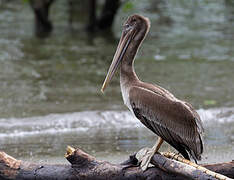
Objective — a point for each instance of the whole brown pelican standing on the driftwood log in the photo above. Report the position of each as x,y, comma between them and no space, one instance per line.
173,120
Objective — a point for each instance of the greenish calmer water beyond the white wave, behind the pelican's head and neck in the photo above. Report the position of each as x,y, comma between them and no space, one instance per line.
56,74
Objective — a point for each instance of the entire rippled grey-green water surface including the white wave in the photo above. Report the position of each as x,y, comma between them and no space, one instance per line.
50,88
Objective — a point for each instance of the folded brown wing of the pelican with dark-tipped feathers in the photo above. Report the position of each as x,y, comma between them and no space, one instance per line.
171,119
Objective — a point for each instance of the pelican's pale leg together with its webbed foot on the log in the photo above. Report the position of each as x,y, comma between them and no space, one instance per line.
144,155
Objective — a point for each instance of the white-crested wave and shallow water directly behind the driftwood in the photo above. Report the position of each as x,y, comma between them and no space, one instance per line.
105,132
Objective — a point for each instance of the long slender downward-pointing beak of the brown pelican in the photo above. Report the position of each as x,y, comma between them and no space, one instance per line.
119,54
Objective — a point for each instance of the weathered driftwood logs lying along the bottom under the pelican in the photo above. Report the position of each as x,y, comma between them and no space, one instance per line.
85,166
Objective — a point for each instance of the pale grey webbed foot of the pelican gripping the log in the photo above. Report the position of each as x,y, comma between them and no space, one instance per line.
144,157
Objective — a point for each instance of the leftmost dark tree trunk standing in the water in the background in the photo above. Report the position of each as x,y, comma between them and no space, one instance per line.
43,25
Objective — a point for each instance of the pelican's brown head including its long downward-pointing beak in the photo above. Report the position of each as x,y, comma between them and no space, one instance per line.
134,31
